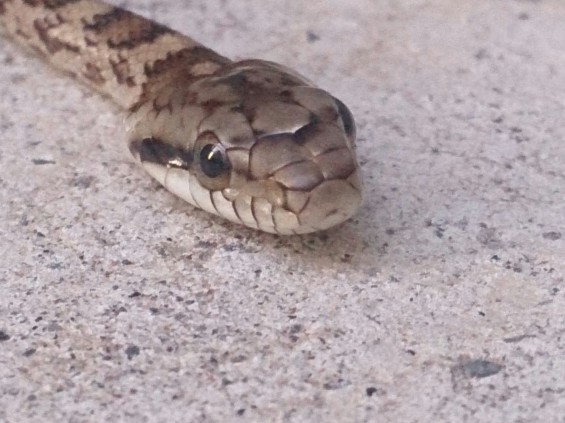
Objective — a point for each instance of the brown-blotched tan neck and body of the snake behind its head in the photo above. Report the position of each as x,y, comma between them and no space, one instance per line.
118,53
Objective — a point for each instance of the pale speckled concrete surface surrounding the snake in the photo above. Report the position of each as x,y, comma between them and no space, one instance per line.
443,300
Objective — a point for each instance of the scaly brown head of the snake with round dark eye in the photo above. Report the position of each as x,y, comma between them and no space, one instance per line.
255,143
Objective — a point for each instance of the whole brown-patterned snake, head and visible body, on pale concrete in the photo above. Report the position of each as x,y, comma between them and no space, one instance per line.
251,141
